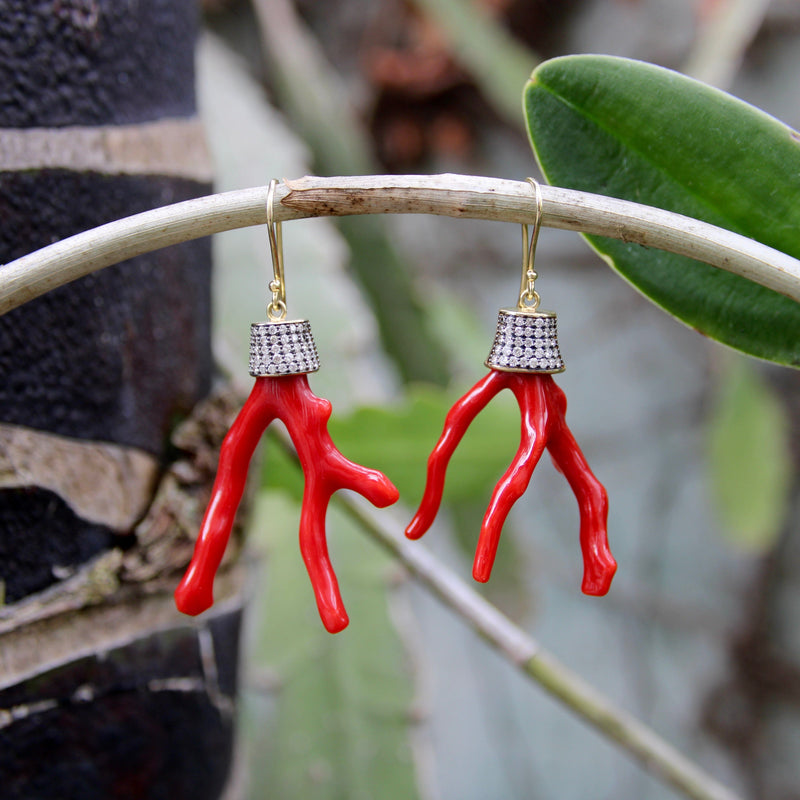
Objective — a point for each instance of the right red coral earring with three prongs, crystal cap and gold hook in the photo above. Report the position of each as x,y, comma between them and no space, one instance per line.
523,358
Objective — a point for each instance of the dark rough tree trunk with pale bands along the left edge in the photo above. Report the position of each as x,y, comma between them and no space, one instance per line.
105,691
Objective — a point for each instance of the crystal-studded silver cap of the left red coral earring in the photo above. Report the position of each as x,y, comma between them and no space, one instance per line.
280,348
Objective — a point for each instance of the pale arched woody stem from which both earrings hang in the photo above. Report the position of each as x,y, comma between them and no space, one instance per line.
449,195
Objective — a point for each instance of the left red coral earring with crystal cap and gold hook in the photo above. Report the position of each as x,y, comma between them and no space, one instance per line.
282,352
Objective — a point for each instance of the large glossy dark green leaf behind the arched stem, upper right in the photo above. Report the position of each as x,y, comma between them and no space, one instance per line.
638,132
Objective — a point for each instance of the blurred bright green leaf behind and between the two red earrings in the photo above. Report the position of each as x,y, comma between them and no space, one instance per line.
398,441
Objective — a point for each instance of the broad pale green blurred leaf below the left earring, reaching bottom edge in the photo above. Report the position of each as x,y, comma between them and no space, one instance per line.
340,722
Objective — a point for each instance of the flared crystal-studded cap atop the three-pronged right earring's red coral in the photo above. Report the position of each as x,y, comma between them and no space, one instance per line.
525,341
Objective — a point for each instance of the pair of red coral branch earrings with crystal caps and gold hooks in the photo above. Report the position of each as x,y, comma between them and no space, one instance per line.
523,358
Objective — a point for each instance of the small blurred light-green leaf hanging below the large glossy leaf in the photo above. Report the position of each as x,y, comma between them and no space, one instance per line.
750,462
